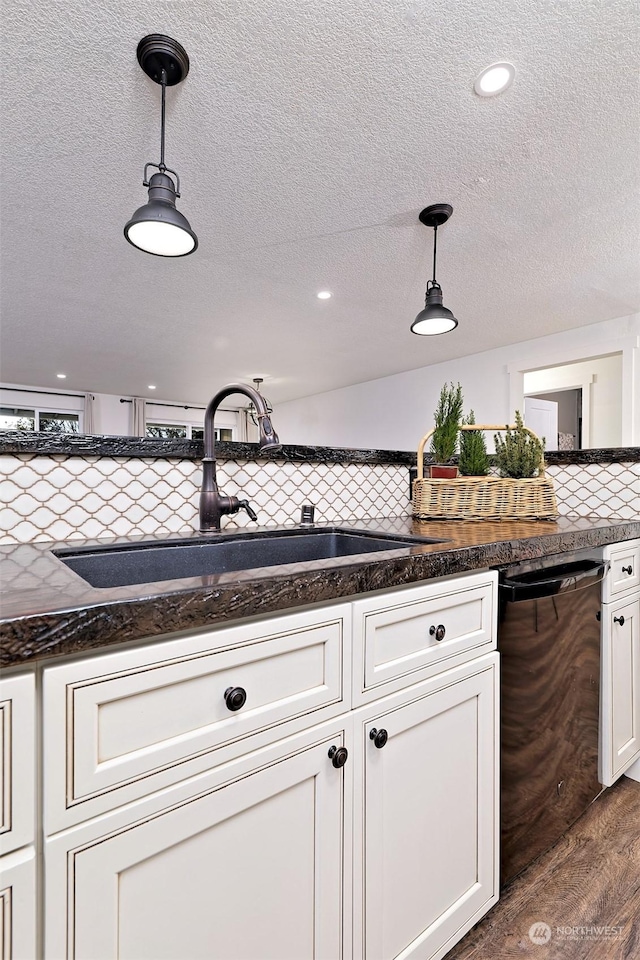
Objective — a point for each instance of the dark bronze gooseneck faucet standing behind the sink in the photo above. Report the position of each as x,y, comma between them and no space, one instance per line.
213,504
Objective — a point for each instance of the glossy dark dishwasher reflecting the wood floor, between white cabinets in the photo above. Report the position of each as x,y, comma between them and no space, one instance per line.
549,643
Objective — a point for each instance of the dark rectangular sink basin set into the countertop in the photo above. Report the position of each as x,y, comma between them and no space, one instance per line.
125,564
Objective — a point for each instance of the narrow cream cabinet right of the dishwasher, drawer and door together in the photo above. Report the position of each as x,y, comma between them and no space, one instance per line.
620,671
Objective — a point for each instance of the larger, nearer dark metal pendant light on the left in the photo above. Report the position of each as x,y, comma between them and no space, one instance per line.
157,227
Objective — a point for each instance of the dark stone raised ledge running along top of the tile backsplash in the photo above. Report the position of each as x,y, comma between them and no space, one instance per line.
84,445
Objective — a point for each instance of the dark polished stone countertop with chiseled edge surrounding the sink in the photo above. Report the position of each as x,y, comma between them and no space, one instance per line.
49,611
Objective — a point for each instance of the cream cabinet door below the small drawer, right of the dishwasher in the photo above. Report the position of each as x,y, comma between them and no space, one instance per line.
620,701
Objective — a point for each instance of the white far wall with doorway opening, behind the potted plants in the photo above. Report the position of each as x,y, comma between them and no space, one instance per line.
393,413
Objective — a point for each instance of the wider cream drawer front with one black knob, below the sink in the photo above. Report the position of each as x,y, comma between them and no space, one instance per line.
122,719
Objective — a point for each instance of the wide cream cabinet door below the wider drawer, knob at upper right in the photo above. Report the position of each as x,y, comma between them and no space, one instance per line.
250,871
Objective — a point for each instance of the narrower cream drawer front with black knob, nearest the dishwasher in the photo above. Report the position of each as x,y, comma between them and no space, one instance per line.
420,631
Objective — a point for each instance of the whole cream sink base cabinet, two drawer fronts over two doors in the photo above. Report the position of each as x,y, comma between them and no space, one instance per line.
178,828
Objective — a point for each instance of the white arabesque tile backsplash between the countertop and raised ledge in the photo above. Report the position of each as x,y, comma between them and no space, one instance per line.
58,497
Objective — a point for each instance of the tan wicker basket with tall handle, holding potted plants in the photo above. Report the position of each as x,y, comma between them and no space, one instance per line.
483,498
